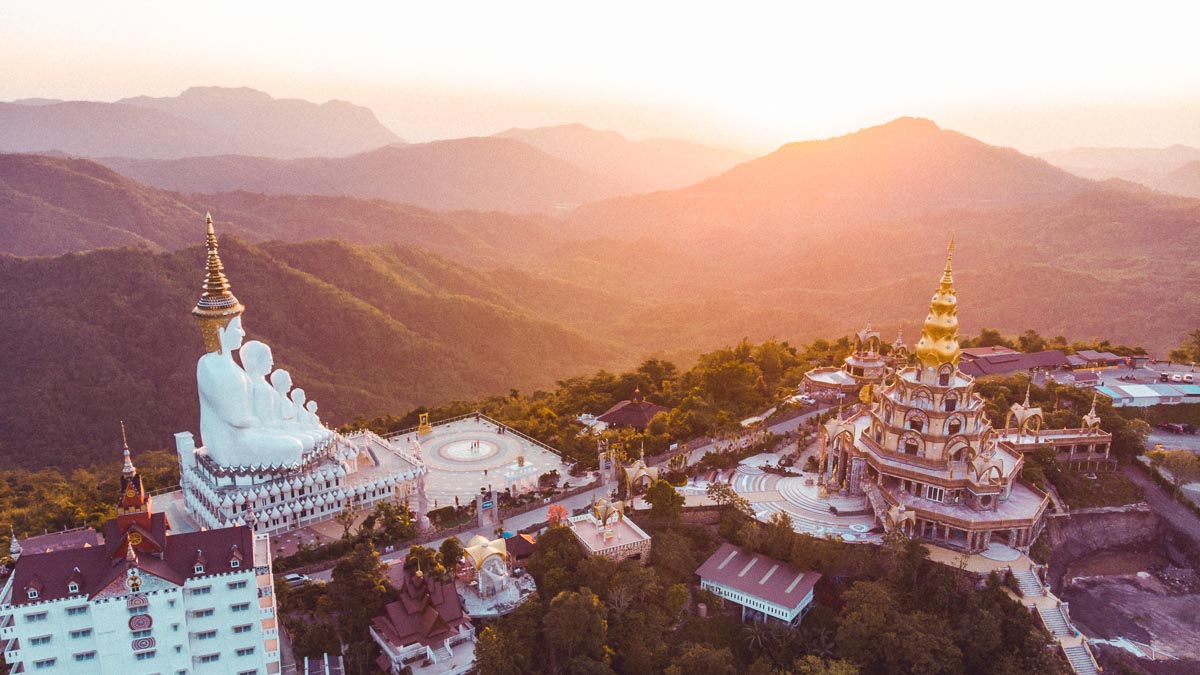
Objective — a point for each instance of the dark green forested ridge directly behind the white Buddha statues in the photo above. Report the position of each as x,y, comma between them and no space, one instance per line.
89,339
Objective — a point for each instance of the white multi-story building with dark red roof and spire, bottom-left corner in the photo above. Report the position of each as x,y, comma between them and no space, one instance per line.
143,601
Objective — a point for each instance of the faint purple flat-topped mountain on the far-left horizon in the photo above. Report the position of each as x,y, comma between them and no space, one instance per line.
202,121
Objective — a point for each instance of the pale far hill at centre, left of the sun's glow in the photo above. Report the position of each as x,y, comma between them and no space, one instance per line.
646,166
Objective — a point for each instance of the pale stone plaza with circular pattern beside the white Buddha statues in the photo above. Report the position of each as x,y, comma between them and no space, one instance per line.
475,452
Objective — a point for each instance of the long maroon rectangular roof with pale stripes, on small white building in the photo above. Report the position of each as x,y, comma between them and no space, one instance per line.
759,576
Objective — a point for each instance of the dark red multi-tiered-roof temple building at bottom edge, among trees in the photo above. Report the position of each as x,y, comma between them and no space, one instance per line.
427,630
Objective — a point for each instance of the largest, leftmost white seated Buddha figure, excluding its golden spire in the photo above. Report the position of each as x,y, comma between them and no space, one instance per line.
233,435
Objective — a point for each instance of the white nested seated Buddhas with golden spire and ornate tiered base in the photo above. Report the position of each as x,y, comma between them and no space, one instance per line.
267,461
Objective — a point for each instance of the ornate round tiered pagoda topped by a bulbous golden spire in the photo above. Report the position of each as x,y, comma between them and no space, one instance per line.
926,455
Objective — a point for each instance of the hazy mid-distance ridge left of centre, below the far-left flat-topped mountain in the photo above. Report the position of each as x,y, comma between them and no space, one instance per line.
464,174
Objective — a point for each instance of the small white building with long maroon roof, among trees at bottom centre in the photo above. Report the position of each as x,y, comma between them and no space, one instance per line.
766,589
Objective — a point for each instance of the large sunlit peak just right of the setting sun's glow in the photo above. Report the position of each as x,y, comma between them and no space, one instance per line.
907,168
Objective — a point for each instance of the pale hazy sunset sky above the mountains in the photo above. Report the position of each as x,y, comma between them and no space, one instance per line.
1037,76
